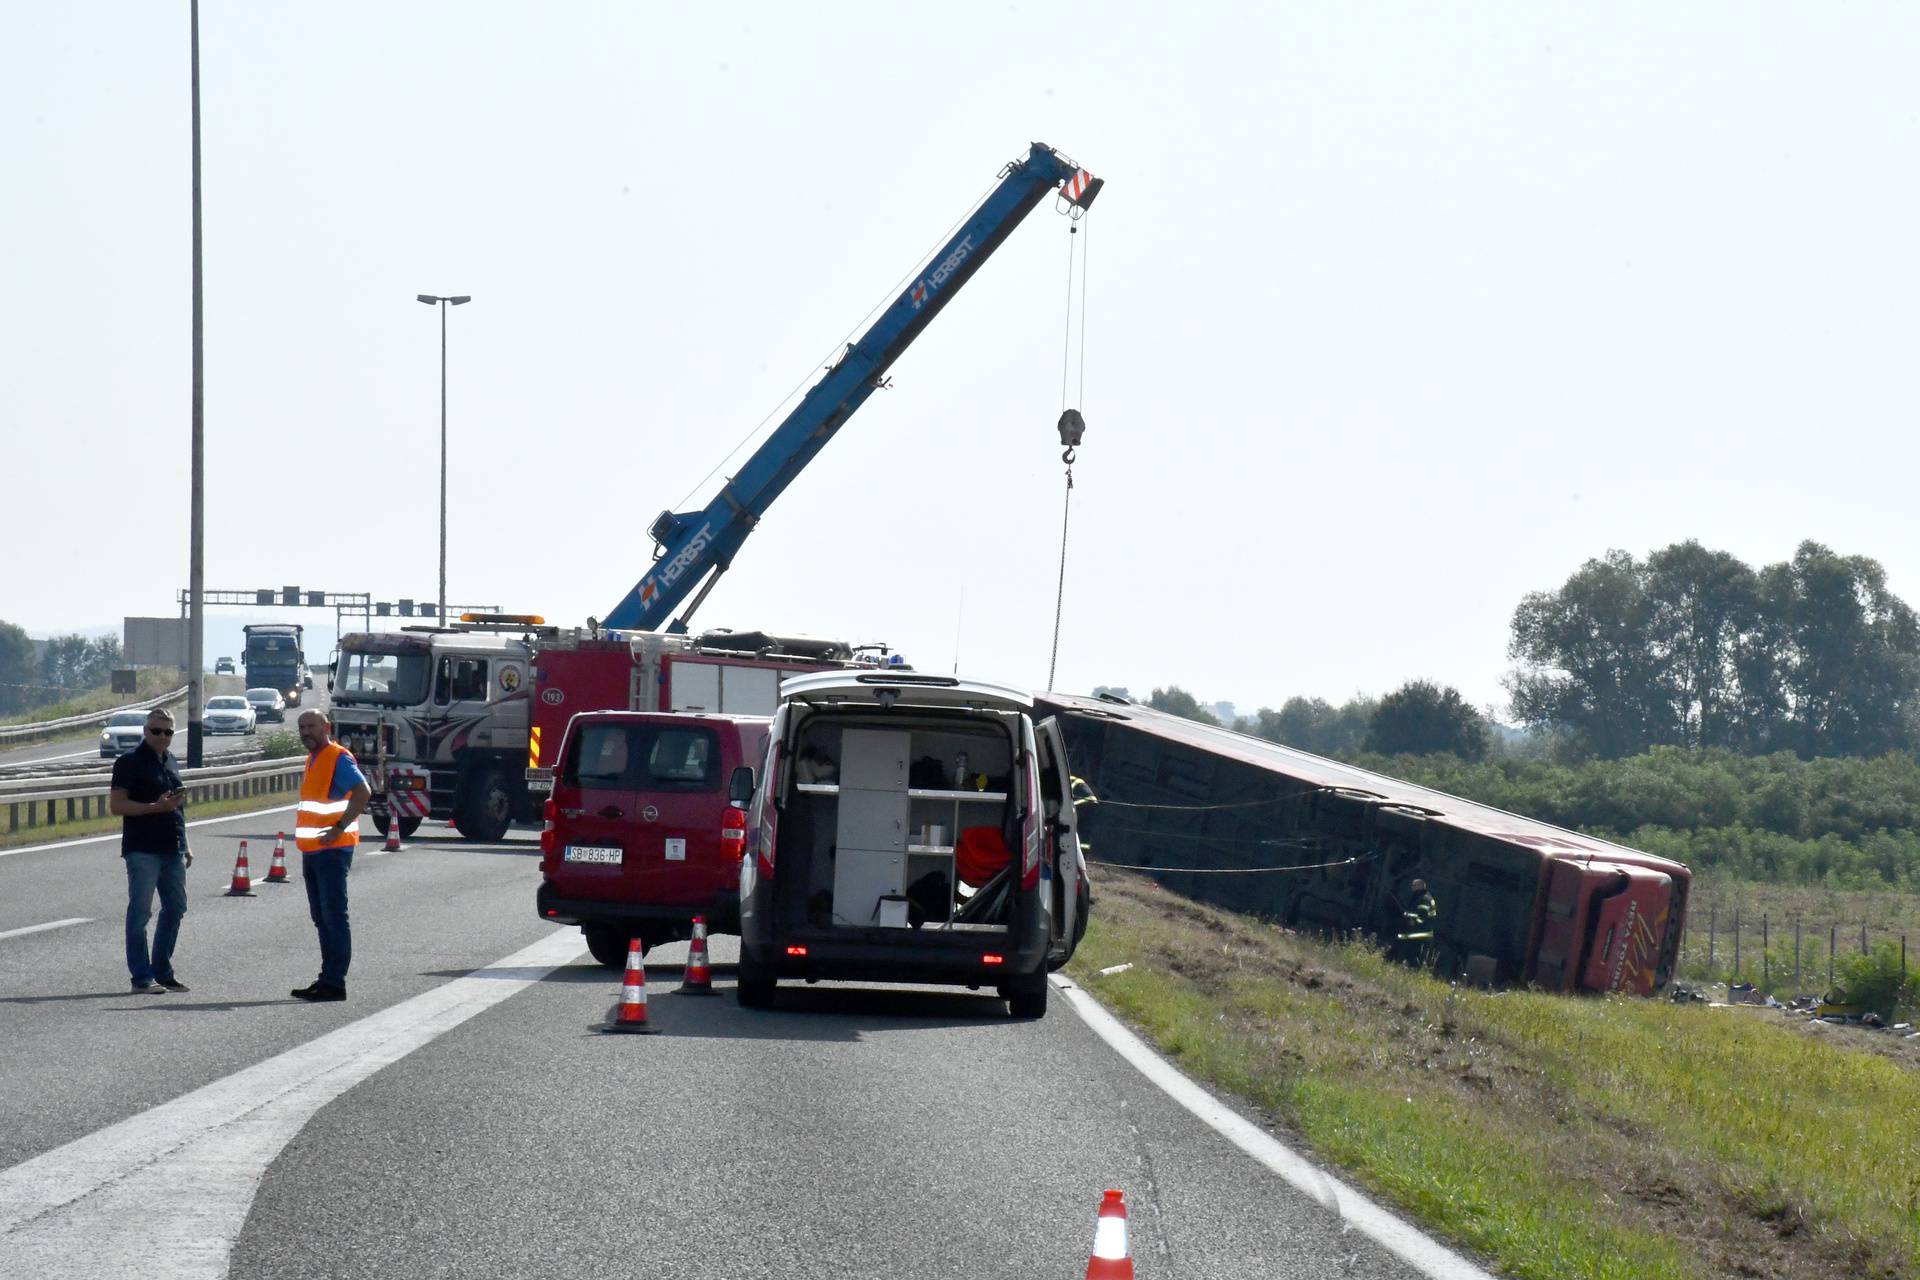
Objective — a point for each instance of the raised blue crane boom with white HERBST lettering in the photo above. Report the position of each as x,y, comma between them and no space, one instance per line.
698,546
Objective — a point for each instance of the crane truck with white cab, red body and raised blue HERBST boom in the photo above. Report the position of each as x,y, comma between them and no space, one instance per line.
481,759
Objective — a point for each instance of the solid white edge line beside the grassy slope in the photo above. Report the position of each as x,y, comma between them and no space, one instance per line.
1355,1210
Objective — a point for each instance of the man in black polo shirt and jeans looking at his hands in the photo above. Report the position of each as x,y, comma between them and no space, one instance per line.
151,801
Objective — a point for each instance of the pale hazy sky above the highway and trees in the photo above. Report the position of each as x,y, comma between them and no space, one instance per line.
1395,312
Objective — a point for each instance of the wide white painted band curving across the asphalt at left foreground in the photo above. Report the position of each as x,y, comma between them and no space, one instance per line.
166,1193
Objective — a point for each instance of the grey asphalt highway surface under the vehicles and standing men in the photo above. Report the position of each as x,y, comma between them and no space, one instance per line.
464,1118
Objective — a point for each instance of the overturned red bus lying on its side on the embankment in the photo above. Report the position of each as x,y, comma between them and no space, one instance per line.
1335,849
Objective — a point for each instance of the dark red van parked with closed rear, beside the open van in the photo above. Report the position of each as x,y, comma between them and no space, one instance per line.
642,830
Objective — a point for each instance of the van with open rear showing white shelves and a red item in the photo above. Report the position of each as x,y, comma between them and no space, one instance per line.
911,828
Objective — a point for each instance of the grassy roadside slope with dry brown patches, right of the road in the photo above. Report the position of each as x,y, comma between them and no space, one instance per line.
1558,1137
